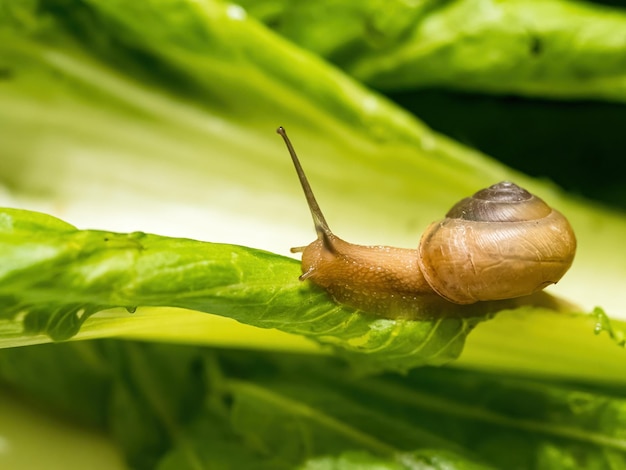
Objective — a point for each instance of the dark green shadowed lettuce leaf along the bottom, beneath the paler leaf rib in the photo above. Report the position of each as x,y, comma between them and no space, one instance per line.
203,408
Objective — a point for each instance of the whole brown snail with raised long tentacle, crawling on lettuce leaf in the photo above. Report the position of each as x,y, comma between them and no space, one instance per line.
501,243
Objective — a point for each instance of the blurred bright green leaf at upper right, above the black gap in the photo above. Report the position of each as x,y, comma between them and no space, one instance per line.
553,48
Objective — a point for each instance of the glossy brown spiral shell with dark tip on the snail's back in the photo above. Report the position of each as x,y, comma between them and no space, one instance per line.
501,243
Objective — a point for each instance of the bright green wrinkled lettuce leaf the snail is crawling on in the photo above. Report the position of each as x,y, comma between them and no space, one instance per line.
55,277
